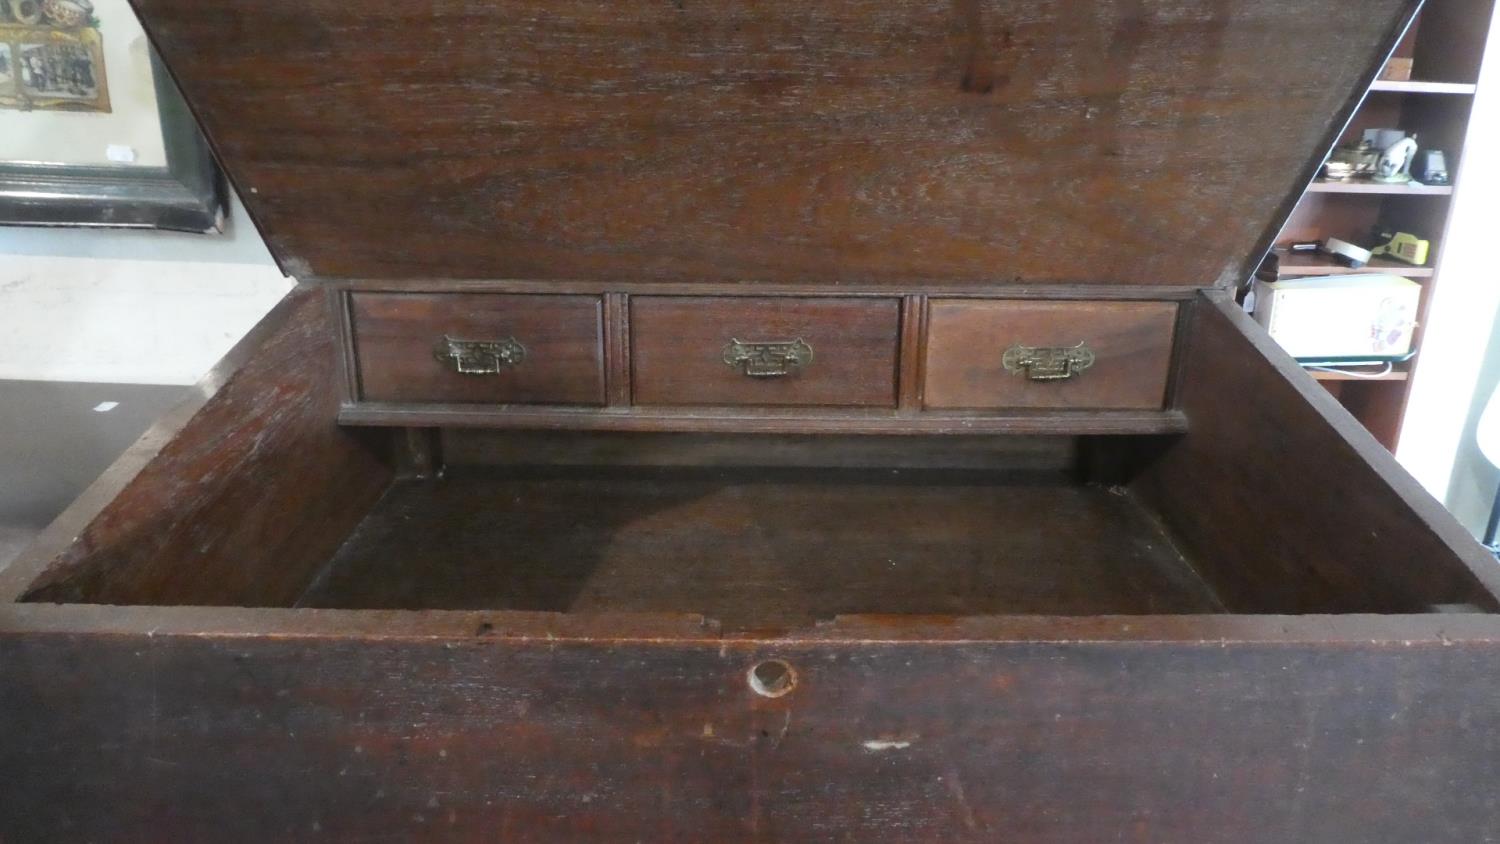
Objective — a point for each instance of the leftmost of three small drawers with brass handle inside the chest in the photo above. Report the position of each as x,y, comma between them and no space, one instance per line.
481,349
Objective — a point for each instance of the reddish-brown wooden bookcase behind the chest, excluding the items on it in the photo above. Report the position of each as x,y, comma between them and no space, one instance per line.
1447,49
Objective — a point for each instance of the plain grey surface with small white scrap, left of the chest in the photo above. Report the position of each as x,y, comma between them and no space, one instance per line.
56,438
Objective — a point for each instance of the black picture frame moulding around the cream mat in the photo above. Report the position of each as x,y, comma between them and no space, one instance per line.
188,196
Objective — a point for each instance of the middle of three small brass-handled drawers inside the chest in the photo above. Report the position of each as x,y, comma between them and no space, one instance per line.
766,352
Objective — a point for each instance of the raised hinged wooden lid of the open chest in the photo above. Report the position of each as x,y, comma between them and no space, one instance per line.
841,142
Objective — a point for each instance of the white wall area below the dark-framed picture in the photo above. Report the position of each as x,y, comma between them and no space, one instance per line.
130,307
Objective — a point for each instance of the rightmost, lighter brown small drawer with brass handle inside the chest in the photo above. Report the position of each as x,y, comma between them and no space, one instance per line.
1040,355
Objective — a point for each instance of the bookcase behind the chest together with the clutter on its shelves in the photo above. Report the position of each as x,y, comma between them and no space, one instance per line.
1355,266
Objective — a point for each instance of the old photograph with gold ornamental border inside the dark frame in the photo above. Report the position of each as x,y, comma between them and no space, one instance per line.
52,56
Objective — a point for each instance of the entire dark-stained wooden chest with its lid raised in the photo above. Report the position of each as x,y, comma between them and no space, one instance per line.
868,154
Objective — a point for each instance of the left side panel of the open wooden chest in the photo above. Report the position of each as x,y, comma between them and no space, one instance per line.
236,500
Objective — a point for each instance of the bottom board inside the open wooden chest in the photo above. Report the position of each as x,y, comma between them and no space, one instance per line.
758,548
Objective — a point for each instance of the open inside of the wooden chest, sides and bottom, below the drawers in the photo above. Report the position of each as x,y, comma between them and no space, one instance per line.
755,533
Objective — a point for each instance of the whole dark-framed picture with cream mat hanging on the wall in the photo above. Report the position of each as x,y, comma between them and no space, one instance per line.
92,130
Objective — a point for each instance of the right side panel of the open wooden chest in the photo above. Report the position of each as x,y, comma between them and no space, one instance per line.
1288,504
